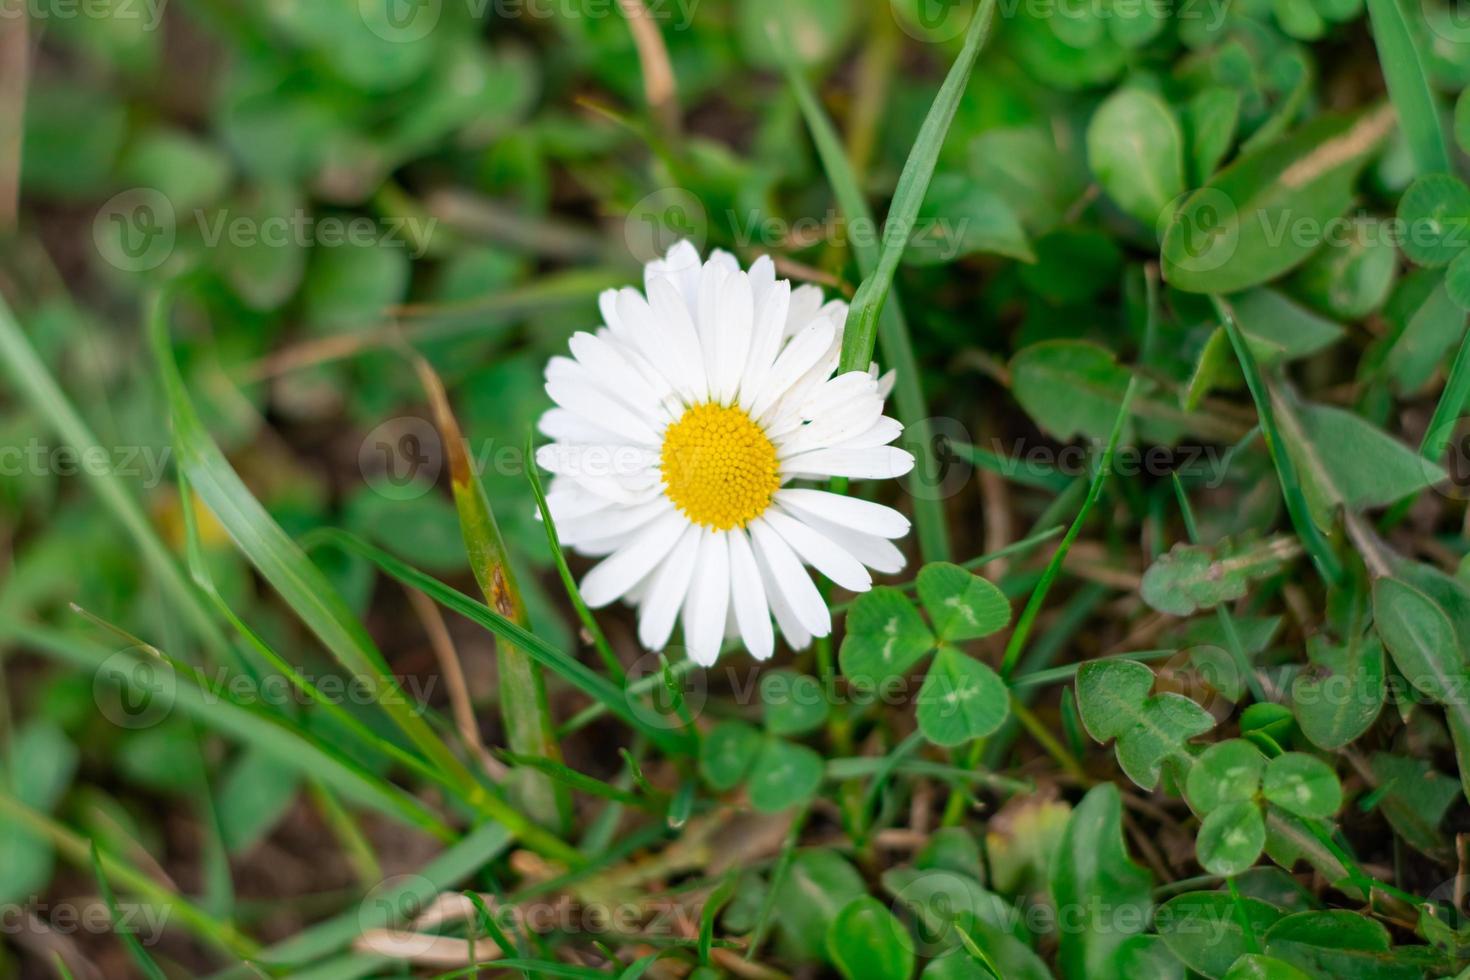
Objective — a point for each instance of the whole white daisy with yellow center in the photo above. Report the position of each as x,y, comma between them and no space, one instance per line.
678,430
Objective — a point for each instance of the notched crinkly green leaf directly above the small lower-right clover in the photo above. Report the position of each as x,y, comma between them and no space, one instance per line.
1341,694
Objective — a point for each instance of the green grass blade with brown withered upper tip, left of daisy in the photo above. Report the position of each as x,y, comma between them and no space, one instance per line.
524,706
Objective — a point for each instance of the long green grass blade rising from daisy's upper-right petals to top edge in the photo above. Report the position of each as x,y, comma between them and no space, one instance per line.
914,184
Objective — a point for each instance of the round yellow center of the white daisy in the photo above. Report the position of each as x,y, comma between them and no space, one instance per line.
718,466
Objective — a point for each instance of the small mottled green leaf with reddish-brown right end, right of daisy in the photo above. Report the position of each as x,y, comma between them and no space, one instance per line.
1191,578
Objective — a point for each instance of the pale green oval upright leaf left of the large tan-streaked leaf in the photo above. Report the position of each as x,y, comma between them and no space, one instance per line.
1137,154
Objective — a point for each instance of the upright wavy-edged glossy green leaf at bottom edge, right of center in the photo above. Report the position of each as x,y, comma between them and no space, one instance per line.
1105,896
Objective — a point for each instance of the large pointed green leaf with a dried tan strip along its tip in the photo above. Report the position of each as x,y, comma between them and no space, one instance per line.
1237,231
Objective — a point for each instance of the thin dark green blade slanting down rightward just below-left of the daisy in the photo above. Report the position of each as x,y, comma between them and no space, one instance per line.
568,668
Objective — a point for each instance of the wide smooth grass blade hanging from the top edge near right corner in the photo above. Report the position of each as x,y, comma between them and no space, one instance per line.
1409,87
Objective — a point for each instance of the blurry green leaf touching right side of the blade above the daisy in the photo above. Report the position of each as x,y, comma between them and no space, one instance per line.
961,218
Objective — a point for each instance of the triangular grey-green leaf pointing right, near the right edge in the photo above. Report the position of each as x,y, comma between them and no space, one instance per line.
1344,461
